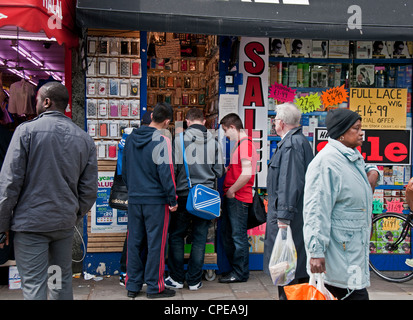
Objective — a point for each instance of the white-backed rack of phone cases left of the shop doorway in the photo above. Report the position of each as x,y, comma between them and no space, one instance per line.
112,90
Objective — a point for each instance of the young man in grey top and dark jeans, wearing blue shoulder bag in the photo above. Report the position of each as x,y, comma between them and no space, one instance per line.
205,163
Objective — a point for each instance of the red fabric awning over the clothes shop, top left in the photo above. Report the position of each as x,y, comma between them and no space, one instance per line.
55,17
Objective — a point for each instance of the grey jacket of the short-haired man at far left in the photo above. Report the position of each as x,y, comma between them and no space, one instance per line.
49,176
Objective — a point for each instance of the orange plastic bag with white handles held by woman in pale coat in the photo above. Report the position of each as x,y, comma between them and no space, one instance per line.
309,291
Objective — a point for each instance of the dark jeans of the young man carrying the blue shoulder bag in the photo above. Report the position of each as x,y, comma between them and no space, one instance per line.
181,221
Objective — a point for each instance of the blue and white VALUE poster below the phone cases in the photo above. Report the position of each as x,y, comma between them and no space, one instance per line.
104,218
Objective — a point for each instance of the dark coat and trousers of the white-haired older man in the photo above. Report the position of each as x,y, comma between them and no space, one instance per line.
285,186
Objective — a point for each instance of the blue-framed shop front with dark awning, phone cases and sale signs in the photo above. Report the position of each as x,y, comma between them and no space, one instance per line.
246,57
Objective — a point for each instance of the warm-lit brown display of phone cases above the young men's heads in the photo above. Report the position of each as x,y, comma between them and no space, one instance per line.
183,71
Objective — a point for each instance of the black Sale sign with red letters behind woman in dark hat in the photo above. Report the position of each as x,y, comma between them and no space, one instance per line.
382,147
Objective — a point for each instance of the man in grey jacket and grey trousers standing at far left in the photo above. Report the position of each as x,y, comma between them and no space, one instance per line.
48,181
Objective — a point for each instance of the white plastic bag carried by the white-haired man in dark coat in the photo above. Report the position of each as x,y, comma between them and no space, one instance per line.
283,261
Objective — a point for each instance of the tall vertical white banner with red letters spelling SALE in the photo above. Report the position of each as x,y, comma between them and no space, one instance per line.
253,96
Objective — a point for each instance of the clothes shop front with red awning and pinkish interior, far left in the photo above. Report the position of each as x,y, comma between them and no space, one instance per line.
36,42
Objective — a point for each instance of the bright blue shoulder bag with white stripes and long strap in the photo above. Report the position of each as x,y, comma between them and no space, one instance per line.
202,202
